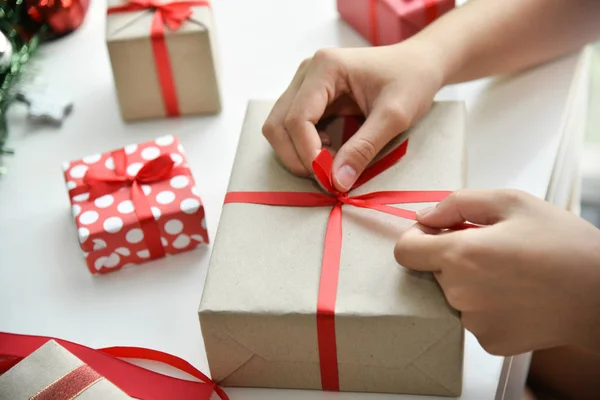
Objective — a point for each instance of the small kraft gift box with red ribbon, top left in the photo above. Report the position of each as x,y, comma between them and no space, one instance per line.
164,58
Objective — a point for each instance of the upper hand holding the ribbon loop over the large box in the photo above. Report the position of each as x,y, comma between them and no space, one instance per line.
392,86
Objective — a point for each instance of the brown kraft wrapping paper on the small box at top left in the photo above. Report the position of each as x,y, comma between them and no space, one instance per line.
192,54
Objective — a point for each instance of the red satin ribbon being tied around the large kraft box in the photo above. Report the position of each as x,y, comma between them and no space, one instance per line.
378,201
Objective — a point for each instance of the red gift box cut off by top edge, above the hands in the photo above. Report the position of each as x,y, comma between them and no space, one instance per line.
385,22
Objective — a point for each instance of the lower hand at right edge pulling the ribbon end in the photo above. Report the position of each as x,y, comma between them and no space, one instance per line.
529,279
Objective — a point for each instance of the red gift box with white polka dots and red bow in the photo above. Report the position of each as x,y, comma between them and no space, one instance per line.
135,204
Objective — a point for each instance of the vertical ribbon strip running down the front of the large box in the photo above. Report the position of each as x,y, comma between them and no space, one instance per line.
326,301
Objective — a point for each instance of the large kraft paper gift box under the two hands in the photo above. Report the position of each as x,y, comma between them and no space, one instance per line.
394,331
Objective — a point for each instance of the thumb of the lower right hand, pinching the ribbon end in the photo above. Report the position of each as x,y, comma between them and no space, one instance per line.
483,207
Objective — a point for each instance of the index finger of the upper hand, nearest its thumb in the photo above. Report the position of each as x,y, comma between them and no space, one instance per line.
316,92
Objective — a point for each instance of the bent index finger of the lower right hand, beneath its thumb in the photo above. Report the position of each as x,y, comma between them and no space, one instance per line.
418,247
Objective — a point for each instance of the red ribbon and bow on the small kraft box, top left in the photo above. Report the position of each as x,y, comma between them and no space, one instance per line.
172,14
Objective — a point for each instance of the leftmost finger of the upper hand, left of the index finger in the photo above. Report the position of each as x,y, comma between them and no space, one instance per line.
274,128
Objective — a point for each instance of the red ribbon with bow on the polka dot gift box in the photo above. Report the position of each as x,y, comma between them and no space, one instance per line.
100,181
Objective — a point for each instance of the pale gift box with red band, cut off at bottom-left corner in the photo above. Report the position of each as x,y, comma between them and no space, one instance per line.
52,372
